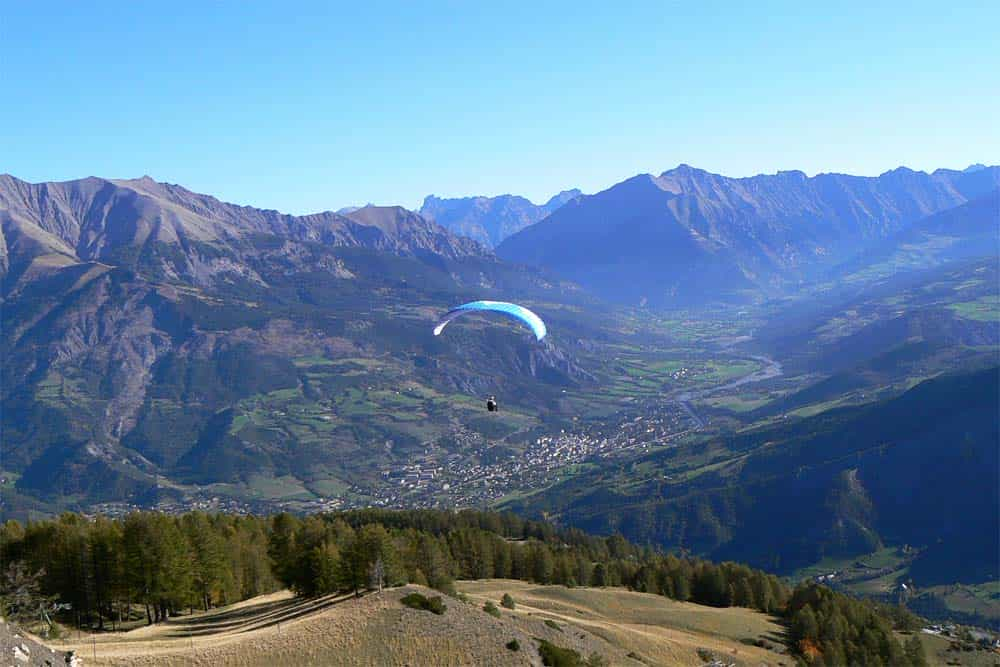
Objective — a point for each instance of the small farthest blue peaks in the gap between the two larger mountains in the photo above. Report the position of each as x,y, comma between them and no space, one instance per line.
490,220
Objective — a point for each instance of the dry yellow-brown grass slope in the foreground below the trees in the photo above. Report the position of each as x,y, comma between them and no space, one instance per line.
279,629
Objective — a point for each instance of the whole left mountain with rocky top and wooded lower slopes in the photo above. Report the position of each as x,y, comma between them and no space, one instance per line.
158,338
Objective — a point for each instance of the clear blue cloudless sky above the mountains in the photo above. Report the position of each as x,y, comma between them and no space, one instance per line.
308,107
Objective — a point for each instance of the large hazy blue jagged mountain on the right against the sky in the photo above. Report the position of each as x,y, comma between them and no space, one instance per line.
688,233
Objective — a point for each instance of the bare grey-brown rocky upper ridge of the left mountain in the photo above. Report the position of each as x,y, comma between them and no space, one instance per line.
181,235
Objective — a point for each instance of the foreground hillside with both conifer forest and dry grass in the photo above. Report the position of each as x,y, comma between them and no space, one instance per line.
157,569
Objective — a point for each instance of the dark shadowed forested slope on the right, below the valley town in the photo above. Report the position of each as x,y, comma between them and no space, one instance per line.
841,483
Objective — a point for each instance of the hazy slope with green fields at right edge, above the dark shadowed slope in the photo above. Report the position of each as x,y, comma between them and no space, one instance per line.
892,325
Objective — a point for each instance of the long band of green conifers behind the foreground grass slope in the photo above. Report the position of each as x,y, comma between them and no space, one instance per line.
103,568
